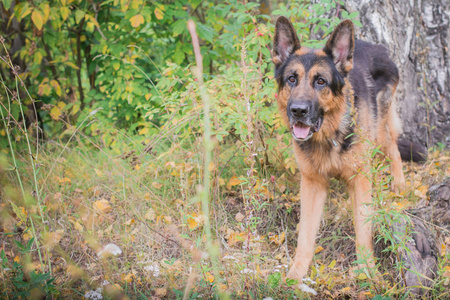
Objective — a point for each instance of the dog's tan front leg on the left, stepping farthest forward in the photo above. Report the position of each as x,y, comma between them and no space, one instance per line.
313,193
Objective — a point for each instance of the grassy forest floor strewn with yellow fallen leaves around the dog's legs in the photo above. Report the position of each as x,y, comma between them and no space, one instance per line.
129,225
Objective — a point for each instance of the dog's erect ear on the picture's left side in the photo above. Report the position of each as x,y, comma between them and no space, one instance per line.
285,41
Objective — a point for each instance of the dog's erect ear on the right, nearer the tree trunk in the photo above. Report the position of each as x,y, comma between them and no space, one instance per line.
340,46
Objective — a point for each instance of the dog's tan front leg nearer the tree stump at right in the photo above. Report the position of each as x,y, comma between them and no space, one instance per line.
360,192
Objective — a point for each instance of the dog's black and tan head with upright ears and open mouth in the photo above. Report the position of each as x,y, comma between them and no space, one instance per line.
310,81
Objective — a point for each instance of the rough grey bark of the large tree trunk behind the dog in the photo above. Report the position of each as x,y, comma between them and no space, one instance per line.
417,34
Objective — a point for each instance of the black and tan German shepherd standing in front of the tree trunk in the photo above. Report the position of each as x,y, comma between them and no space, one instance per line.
332,100
